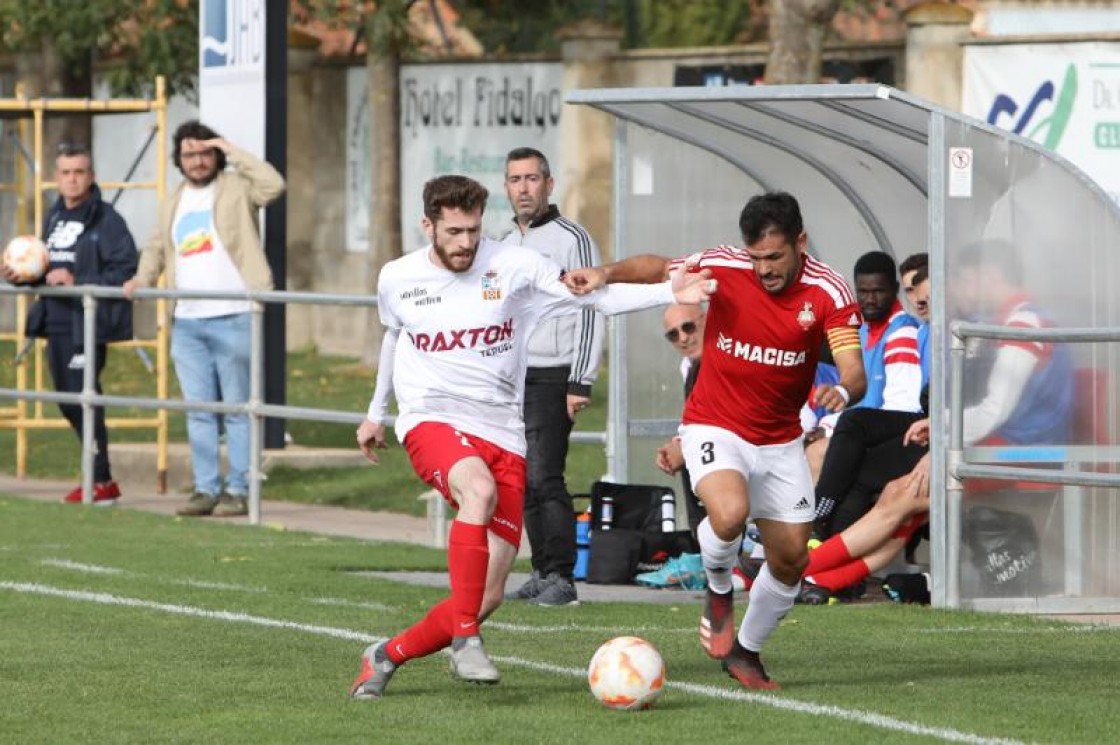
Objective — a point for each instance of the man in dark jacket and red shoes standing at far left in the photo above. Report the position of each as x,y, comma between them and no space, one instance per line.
89,245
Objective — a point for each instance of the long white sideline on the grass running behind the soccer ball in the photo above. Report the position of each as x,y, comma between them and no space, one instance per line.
711,692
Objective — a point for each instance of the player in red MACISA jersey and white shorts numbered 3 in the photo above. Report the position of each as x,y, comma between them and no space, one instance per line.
742,430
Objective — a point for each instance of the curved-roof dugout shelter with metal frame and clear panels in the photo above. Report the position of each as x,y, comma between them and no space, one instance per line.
879,170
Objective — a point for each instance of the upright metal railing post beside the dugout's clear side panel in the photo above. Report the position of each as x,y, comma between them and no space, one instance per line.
955,488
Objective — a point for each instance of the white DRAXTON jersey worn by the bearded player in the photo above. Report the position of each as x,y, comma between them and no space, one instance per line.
463,343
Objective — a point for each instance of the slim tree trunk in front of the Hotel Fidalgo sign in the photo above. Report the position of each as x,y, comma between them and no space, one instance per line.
384,70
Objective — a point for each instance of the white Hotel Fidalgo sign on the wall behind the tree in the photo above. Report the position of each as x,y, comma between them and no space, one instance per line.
456,119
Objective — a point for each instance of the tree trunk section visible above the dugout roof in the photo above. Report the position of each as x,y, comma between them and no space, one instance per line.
797,35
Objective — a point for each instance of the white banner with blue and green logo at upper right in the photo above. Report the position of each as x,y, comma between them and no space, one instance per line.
1066,97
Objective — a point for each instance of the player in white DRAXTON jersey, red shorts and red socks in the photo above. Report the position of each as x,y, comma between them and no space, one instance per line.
459,318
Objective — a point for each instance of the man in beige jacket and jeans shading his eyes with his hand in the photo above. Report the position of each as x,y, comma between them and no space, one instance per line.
208,240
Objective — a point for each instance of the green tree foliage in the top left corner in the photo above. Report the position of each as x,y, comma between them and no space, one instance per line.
147,38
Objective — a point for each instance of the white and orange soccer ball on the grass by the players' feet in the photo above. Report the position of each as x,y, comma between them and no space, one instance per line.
627,673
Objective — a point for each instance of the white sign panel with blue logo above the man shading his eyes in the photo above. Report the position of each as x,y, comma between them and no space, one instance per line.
231,71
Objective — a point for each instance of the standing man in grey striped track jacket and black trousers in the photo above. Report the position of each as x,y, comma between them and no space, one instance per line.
564,361
